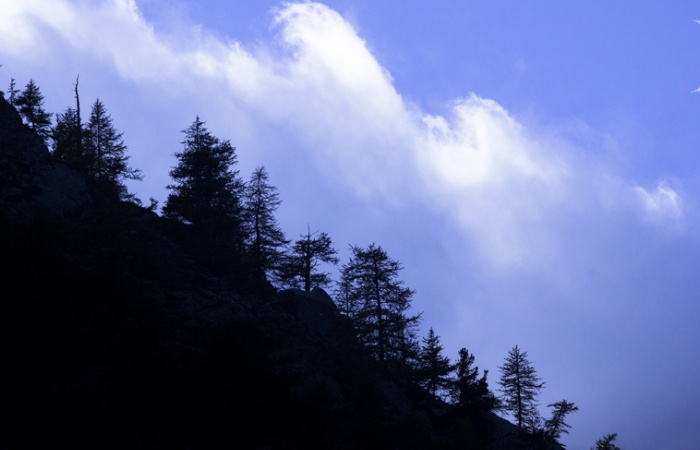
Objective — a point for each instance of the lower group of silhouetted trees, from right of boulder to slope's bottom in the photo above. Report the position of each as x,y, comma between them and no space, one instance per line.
371,293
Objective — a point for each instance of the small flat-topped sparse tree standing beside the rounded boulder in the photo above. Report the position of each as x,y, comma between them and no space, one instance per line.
300,267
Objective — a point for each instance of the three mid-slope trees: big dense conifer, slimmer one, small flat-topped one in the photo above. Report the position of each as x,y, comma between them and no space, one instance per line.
237,218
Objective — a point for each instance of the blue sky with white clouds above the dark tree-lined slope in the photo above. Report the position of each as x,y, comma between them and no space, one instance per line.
533,166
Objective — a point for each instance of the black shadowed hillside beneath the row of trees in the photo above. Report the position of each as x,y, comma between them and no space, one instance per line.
115,334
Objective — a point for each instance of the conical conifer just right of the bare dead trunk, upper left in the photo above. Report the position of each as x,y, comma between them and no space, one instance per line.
106,151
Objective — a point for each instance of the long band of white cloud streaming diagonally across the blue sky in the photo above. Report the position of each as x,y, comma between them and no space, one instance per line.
499,180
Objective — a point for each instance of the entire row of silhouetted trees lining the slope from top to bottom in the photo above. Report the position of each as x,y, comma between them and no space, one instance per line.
235,219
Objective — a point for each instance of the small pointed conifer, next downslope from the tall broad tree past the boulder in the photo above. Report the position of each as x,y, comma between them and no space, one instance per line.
434,368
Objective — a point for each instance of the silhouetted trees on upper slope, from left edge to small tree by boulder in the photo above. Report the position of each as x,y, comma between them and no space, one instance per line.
231,217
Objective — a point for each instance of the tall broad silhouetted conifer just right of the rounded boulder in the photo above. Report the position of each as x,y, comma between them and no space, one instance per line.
379,303
